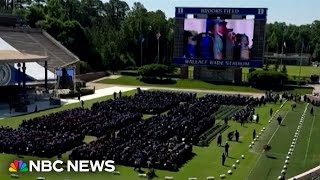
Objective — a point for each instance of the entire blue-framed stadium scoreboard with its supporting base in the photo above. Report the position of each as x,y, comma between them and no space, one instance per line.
224,39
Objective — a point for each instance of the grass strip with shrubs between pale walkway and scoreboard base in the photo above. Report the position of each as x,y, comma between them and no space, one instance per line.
194,84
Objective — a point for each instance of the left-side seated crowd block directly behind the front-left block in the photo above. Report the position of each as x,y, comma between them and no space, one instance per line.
82,121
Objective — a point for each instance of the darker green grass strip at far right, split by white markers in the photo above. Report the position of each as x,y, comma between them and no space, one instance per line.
270,164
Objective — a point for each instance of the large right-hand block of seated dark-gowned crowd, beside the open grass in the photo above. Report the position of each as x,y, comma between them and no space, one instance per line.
164,140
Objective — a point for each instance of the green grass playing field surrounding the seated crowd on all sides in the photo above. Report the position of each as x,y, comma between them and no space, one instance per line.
207,161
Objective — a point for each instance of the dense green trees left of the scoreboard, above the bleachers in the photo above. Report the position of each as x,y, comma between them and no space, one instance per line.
105,35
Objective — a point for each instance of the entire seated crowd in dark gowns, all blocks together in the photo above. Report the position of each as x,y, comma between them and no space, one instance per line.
163,141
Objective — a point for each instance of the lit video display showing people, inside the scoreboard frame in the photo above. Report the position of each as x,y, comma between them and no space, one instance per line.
229,39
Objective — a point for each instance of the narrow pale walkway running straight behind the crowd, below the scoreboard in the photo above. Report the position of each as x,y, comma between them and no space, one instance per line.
99,86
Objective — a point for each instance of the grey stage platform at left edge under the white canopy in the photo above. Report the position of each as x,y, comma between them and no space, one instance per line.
41,105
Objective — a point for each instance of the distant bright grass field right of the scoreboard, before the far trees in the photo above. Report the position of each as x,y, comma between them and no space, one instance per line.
306,71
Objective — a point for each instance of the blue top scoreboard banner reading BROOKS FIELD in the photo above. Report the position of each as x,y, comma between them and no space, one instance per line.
261,12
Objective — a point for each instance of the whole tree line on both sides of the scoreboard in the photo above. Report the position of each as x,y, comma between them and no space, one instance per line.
113,36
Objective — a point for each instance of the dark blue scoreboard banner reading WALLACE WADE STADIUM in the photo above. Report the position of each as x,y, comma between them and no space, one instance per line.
217,63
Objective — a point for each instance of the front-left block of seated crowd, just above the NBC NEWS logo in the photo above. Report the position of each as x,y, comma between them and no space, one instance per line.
24,141
